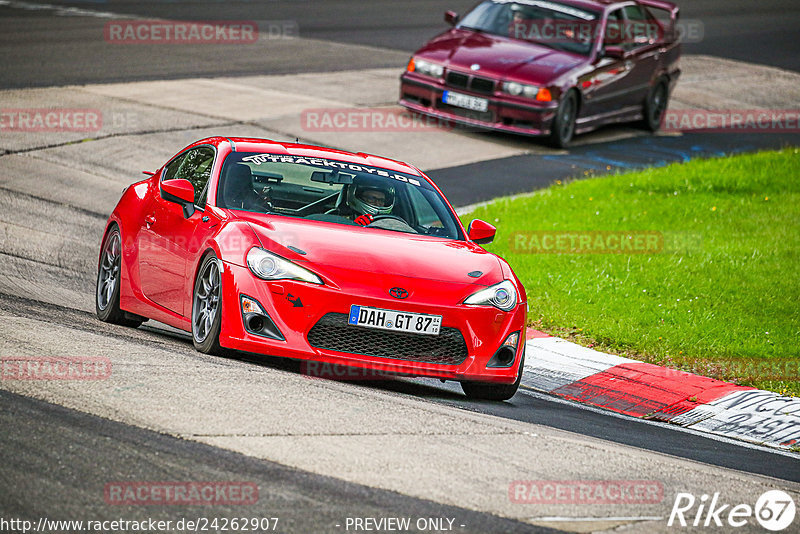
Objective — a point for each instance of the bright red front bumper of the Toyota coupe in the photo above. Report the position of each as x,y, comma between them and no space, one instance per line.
483,328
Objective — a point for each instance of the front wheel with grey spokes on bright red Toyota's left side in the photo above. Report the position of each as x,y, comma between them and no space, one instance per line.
207,307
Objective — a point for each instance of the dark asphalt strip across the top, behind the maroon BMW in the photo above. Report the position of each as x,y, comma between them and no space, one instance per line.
43,50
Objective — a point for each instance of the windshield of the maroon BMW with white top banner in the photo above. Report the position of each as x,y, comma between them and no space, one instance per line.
551,24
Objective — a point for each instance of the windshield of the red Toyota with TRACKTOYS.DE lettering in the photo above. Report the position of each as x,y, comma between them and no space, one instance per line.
334,191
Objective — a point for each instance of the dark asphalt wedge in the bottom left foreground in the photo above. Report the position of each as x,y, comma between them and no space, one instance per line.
91,445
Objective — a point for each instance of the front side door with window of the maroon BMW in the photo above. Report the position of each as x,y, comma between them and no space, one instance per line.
606,88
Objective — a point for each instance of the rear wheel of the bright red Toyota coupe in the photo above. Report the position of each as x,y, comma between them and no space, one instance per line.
109,272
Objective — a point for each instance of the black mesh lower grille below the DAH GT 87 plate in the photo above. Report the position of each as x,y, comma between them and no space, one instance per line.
332,332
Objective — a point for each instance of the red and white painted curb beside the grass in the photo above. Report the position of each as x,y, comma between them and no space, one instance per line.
630,387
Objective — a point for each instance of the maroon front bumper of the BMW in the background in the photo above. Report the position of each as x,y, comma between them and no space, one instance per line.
504,114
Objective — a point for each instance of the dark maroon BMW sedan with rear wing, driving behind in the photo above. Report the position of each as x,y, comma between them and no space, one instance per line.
548,67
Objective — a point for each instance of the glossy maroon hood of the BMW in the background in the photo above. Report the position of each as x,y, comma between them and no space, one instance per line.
500,57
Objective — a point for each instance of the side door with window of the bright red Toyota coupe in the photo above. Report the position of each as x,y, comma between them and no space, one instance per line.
168,235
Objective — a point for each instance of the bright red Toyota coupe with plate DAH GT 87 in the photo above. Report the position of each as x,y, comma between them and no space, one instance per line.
316,254
